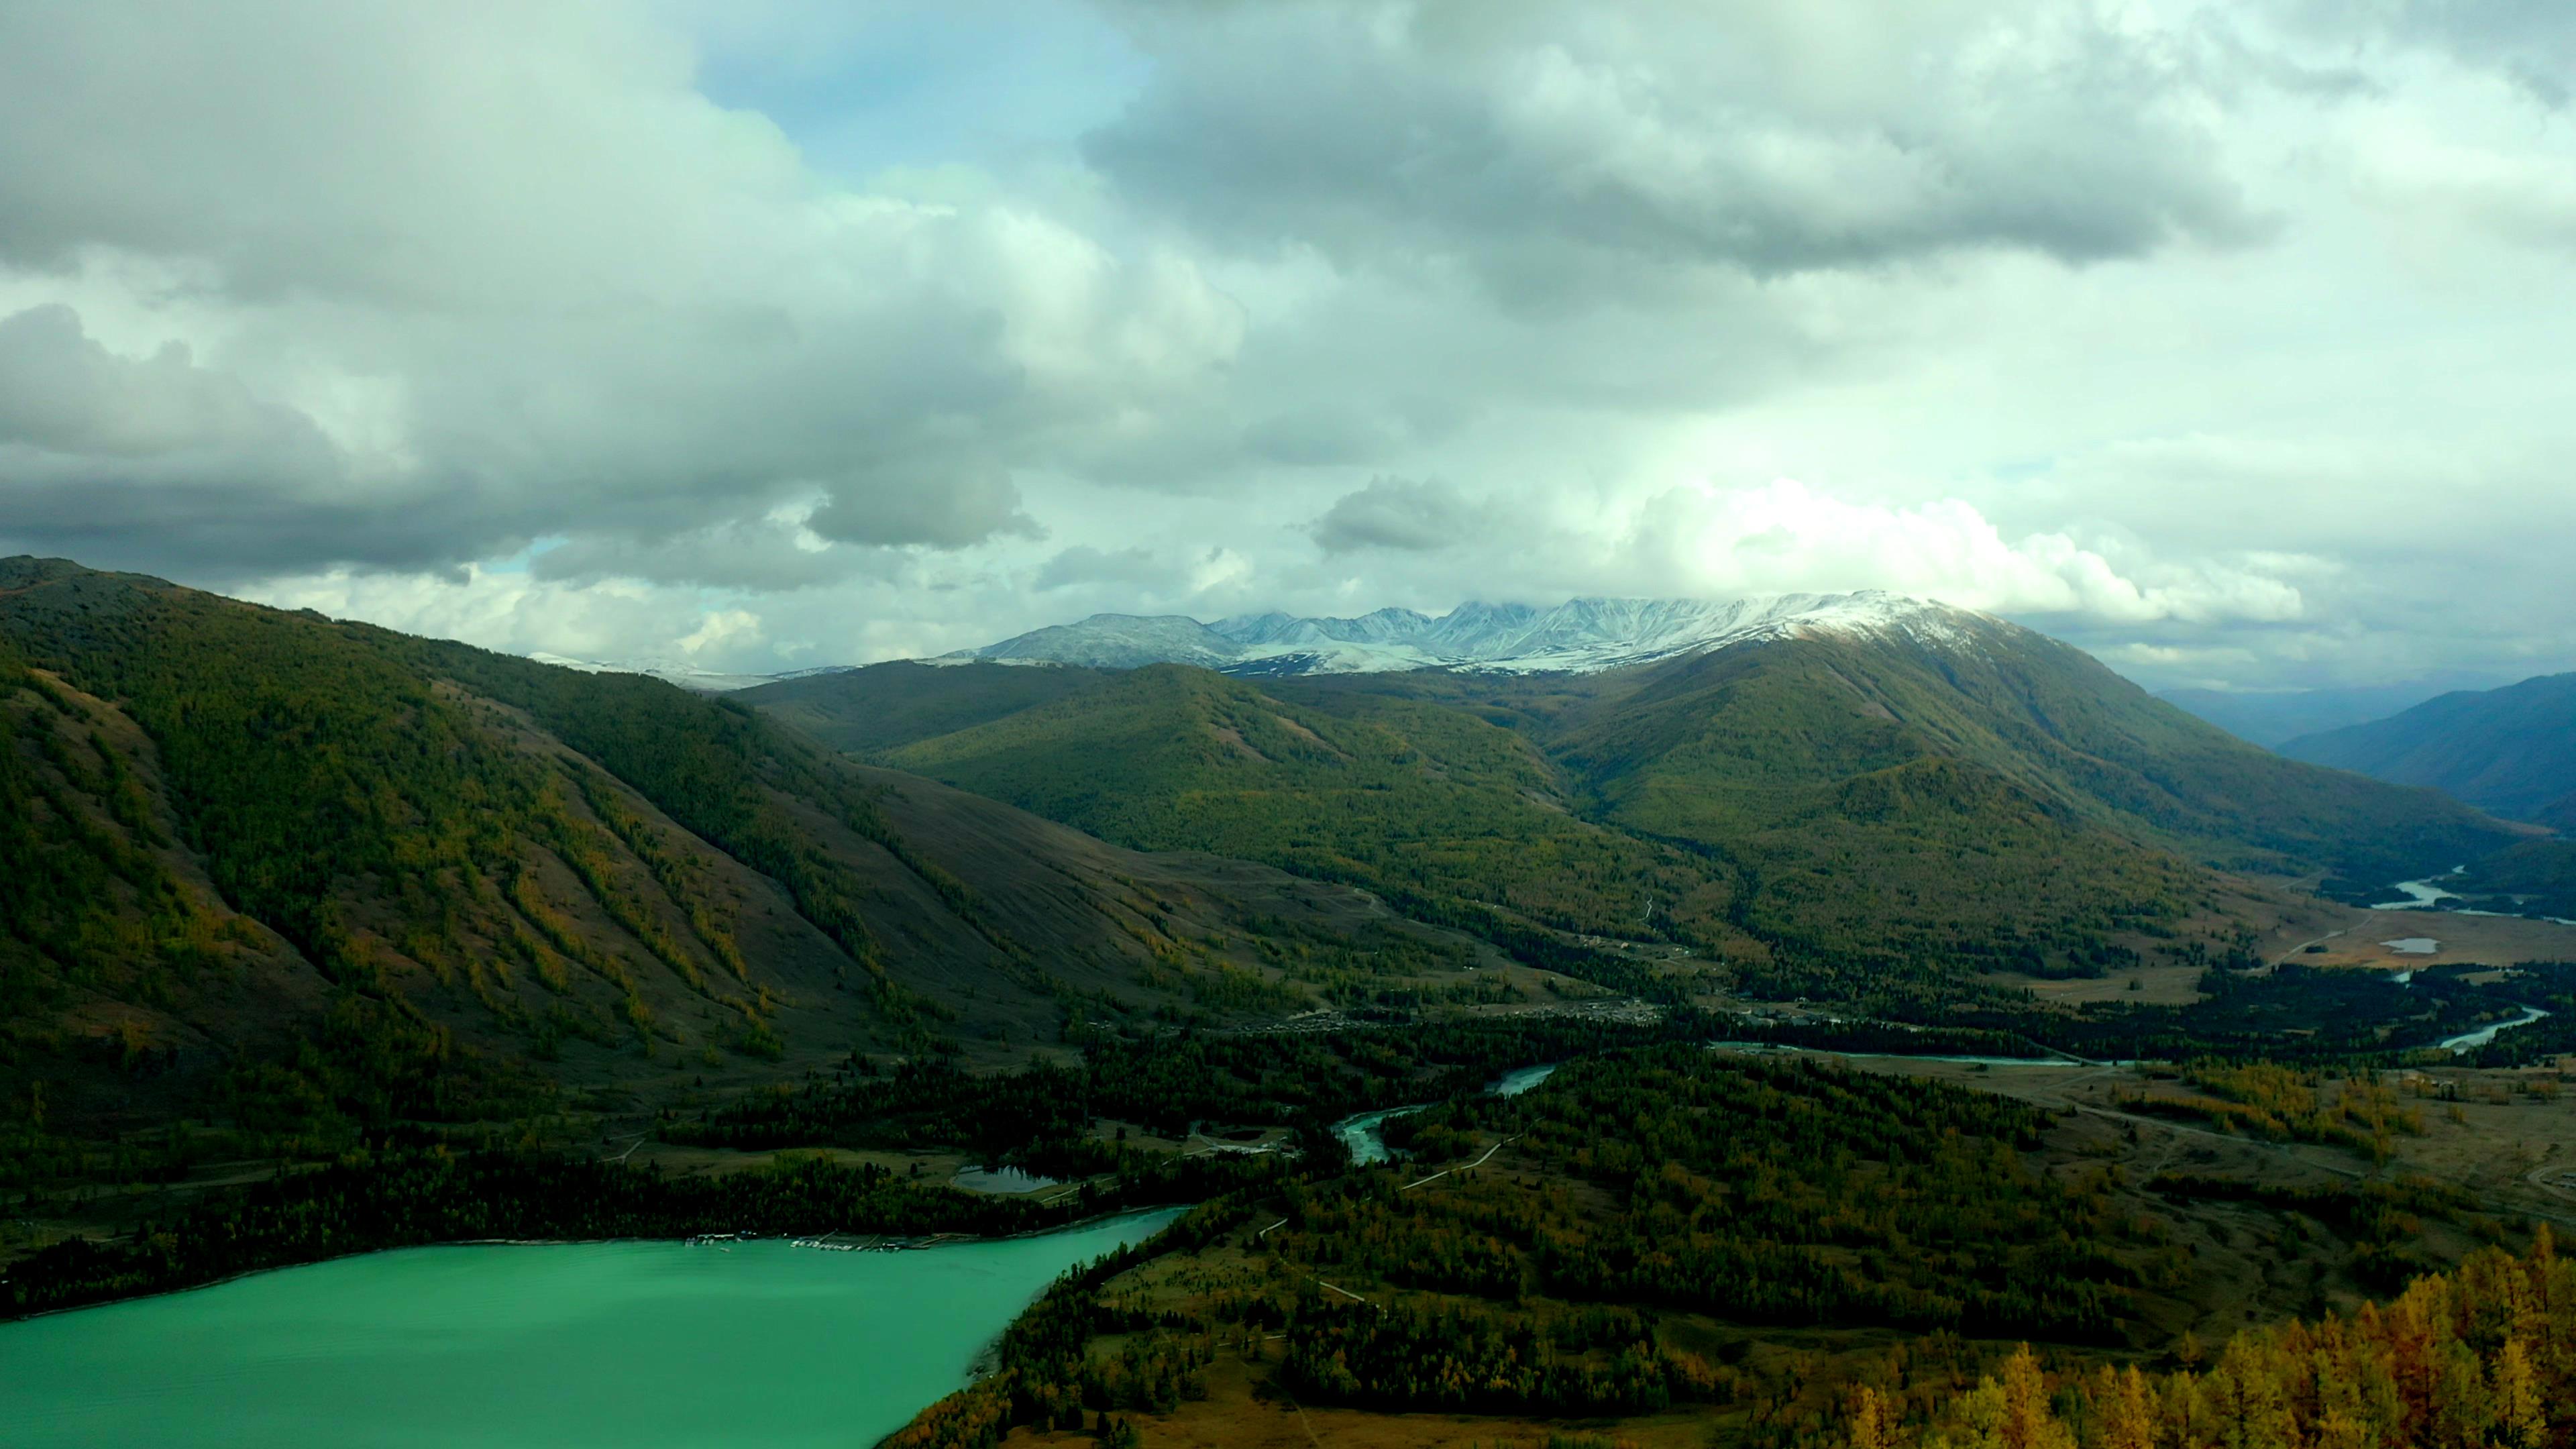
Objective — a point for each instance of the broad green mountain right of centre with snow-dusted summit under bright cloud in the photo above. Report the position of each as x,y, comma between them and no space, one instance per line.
2005,793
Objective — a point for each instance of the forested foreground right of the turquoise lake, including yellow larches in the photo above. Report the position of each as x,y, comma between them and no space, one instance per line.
1686,1247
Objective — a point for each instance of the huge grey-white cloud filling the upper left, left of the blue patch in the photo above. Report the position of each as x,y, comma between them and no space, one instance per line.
581,298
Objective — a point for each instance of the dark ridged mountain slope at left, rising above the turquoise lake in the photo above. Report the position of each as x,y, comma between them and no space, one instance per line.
313,875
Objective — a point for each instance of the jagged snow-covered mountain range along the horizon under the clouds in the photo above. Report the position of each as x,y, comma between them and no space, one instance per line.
1580,636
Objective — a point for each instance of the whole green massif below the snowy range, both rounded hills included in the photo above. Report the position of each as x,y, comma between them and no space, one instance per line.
1825,808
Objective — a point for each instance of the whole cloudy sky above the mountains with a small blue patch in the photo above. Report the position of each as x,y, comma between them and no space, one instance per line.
2235,342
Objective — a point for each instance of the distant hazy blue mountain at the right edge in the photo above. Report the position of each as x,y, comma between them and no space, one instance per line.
2505,749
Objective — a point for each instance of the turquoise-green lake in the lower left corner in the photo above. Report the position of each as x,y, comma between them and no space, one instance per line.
581,1345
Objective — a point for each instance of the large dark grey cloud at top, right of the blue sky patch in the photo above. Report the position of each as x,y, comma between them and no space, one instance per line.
1552,148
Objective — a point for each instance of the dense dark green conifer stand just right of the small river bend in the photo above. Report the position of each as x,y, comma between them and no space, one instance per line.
1761,1192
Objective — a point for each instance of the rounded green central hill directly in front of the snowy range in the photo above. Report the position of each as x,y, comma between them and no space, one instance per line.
1452,816
